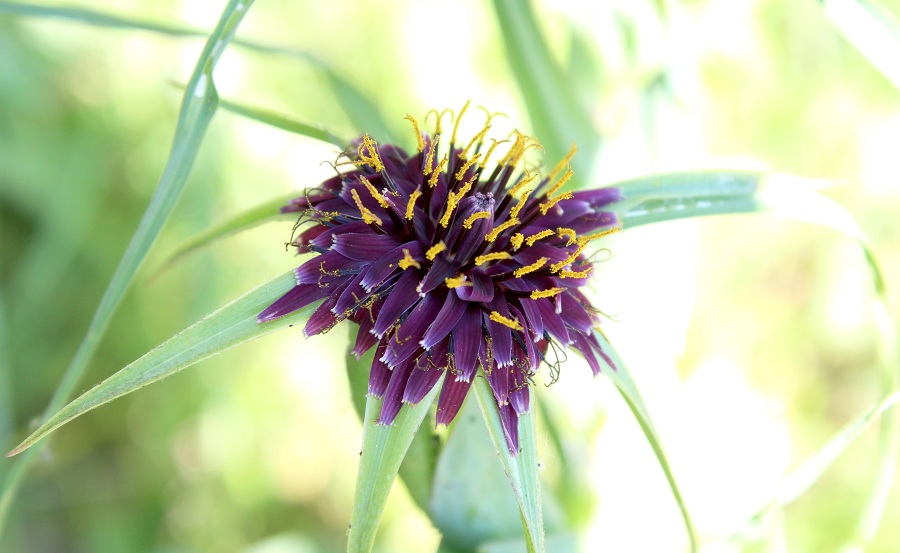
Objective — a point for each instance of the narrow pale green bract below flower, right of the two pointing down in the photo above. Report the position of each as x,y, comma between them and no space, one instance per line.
521,470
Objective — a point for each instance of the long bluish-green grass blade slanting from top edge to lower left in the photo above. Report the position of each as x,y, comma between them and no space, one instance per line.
197,108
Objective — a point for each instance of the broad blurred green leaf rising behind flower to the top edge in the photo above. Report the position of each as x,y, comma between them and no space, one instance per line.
556,115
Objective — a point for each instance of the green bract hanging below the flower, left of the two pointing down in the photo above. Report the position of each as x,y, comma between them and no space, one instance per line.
383,450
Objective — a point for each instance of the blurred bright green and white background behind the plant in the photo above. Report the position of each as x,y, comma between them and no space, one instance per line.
751,338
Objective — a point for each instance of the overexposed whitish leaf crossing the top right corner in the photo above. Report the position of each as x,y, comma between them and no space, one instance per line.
872,29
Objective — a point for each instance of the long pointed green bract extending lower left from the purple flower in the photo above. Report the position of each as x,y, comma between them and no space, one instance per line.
223,329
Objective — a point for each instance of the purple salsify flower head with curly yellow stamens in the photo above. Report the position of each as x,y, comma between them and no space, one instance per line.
449,261
